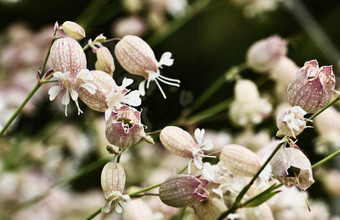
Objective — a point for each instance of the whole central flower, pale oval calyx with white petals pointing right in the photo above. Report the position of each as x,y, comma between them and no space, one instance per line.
181,143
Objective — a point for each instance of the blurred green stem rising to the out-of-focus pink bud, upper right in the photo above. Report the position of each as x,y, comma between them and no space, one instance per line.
216,85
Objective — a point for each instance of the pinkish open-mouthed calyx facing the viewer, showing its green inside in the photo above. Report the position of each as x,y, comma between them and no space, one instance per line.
124,127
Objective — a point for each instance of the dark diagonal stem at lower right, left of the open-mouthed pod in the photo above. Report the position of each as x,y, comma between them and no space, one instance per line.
238,199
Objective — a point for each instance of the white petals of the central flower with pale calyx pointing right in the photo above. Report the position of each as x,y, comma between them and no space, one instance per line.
198,153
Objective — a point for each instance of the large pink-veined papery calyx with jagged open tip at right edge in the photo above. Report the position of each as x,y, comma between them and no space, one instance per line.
312,87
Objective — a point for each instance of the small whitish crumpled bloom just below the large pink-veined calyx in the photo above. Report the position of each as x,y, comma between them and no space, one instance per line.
291,121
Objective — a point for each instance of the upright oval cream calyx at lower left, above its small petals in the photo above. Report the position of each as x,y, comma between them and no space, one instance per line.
112,179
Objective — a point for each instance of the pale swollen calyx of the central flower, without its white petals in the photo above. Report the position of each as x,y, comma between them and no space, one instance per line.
178,141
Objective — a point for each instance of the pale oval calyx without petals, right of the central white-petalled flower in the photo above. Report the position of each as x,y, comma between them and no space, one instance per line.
240,160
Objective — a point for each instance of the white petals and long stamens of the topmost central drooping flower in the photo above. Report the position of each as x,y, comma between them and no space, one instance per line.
156,76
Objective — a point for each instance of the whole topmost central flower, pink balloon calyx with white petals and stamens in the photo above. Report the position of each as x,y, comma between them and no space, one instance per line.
137,57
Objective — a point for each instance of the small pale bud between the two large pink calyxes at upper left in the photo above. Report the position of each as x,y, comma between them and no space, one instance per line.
105,61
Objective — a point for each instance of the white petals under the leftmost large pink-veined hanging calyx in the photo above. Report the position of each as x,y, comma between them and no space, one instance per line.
70,86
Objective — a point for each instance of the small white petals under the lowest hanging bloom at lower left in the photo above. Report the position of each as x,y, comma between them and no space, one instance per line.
117,200
